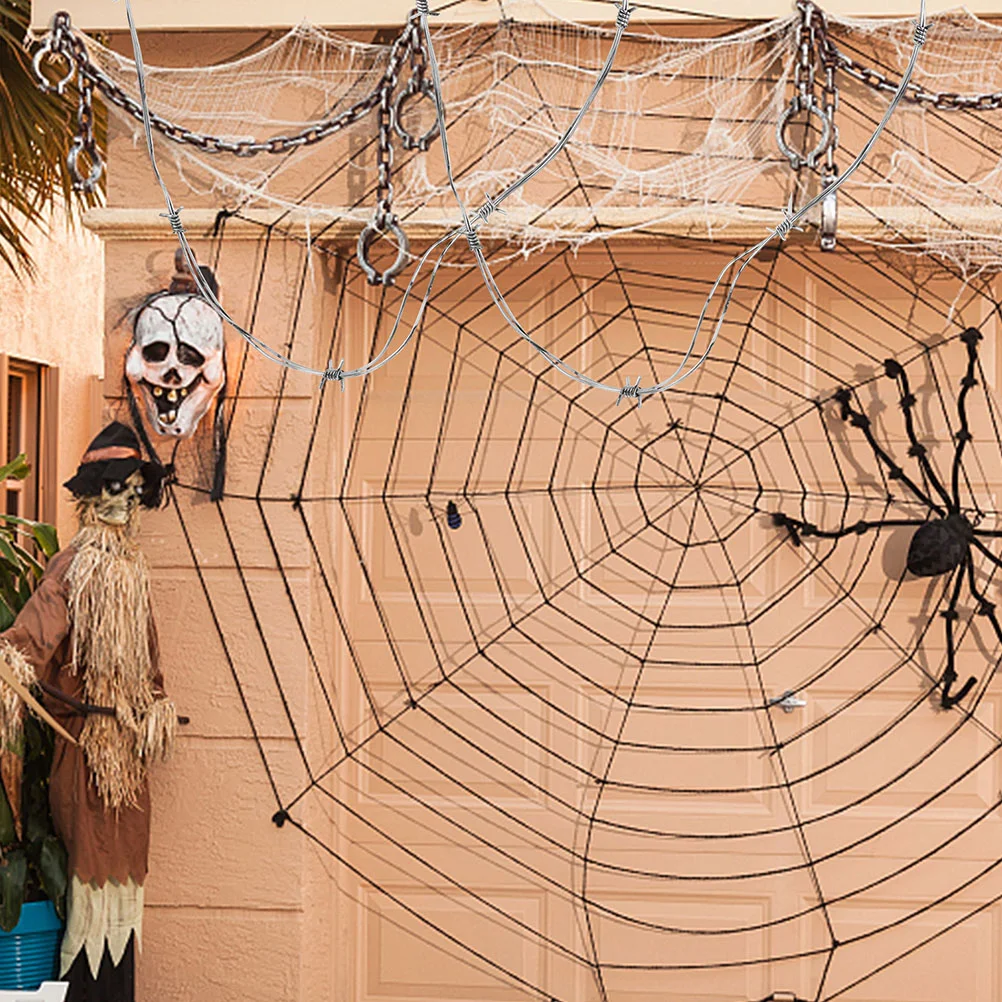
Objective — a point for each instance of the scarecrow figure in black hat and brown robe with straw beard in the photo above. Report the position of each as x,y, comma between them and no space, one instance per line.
87,642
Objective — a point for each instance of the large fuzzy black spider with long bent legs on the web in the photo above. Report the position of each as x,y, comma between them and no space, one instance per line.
943,541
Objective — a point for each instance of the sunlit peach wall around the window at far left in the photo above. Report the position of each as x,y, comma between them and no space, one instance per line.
58,319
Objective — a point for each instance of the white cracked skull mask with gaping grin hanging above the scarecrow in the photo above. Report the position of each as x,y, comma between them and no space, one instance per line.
177,364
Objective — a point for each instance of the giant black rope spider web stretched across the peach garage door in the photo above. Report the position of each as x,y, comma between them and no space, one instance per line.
571,698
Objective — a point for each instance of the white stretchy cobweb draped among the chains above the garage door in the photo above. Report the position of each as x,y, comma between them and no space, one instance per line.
682,134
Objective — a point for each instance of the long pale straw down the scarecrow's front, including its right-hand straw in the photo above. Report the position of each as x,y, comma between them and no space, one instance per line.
110,610
